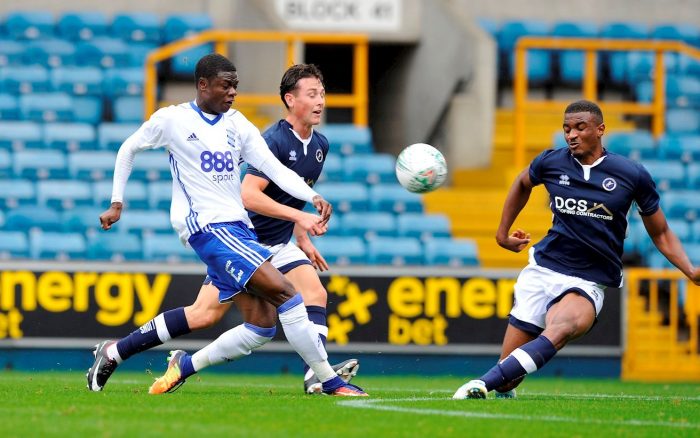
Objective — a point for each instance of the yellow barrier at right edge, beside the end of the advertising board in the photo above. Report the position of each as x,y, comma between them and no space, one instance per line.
661,336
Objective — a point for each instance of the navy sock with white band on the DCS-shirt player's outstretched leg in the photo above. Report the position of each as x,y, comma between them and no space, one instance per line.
524,360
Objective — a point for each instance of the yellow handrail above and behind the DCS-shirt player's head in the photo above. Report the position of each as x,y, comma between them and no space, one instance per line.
591,47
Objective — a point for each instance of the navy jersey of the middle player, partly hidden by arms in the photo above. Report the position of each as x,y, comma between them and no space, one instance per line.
306,163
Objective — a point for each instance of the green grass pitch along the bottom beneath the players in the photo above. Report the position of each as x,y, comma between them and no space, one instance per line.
228,404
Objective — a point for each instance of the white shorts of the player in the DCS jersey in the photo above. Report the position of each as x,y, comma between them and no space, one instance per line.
539,288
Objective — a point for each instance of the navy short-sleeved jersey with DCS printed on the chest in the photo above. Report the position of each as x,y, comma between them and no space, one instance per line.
590,206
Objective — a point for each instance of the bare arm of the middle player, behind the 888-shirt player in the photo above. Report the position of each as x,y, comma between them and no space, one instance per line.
255,199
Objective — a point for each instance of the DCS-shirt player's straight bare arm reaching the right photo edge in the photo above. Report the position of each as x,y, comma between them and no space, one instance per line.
668,244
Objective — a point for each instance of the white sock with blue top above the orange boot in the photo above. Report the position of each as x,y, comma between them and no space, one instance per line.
231,345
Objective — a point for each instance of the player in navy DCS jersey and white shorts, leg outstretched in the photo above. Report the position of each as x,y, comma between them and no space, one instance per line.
560,293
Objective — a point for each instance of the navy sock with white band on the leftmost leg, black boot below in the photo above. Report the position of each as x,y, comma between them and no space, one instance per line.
160,329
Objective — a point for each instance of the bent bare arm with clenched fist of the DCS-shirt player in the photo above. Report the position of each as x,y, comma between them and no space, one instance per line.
517,198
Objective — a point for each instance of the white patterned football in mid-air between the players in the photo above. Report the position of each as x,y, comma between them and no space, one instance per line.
420,168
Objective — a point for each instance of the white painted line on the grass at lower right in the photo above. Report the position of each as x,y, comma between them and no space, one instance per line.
375,405
